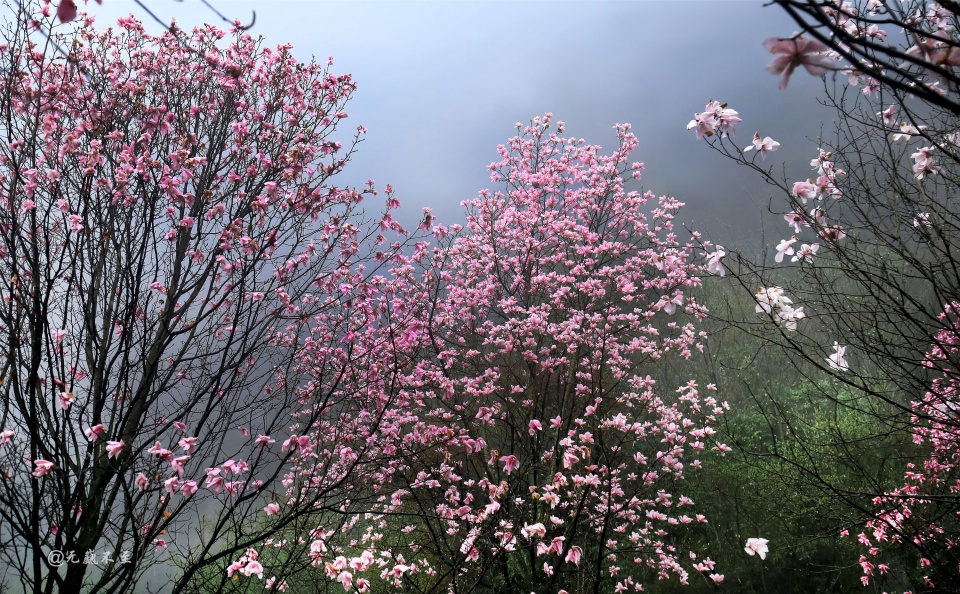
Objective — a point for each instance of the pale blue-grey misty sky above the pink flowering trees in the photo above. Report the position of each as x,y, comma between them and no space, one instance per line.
441,84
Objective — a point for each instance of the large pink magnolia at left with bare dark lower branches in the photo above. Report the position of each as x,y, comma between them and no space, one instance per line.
196,334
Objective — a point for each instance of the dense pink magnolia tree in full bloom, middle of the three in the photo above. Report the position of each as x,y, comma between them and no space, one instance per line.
540,454
